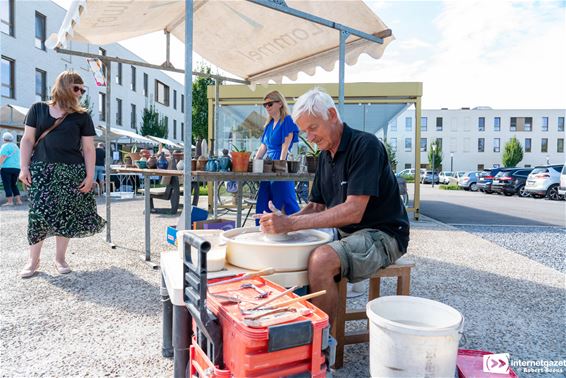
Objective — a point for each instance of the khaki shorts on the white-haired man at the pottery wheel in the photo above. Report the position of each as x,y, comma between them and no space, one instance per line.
364,252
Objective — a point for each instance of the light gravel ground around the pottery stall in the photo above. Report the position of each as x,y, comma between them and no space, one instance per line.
104,319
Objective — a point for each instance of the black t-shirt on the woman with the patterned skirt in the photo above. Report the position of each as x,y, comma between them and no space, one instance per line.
63,144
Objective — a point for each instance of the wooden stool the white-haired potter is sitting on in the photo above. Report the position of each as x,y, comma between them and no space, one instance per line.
400,269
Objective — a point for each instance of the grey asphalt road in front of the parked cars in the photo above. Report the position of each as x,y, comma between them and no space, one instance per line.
462,207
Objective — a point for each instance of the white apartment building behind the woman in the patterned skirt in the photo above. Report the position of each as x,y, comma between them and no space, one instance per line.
29,69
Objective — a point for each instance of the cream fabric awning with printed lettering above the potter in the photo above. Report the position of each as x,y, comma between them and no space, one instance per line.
250,41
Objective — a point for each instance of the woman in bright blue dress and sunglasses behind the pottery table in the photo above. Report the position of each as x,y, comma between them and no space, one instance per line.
279,135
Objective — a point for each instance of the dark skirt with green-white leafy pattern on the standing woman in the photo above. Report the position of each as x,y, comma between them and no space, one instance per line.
57,207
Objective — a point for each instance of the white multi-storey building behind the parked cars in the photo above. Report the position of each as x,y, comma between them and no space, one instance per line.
474,139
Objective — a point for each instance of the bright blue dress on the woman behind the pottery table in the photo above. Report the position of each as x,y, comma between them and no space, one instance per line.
282,193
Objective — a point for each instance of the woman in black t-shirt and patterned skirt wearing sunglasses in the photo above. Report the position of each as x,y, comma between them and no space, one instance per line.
57,164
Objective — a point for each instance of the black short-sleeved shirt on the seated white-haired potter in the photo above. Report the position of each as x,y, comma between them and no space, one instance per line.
361,167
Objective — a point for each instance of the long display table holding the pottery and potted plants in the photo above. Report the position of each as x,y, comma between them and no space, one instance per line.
202,176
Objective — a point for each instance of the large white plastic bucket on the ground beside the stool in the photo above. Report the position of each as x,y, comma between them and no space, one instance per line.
413,337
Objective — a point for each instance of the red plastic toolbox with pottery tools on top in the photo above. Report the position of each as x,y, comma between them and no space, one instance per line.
247,350
